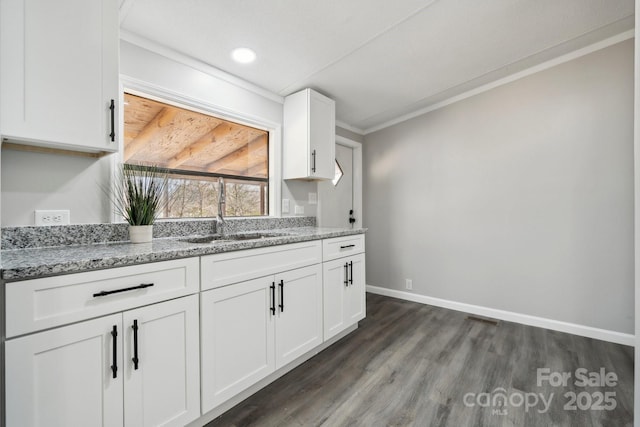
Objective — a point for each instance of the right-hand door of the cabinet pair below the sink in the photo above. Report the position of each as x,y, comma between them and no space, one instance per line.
299,313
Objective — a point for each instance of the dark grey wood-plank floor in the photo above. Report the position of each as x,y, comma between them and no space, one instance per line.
416,365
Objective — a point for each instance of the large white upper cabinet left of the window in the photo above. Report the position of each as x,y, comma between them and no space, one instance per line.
59,73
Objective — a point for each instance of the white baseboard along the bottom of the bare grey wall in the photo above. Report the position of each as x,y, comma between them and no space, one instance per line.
525,319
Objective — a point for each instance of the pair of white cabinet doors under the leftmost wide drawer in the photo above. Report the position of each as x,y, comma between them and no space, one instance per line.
84,374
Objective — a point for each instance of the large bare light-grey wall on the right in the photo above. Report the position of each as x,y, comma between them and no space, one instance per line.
518,199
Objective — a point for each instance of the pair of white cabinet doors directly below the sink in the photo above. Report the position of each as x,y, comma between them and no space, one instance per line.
251,328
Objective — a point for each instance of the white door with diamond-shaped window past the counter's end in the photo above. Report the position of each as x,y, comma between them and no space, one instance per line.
336,197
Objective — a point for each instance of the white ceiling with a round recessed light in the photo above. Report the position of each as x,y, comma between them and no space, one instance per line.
379,59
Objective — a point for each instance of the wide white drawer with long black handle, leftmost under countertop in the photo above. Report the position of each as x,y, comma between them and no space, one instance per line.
52,301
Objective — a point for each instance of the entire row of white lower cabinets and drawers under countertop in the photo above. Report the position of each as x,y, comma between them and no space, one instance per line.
155,352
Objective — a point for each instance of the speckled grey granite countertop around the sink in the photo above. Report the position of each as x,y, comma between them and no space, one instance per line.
30,263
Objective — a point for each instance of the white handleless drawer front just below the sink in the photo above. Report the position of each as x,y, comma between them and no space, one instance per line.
233,267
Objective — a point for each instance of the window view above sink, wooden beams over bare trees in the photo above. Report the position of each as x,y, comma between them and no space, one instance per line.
196,149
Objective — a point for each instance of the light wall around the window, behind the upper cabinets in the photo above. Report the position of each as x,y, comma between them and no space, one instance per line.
43,181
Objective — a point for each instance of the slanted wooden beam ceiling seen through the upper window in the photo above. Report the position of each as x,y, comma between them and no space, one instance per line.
177,138
